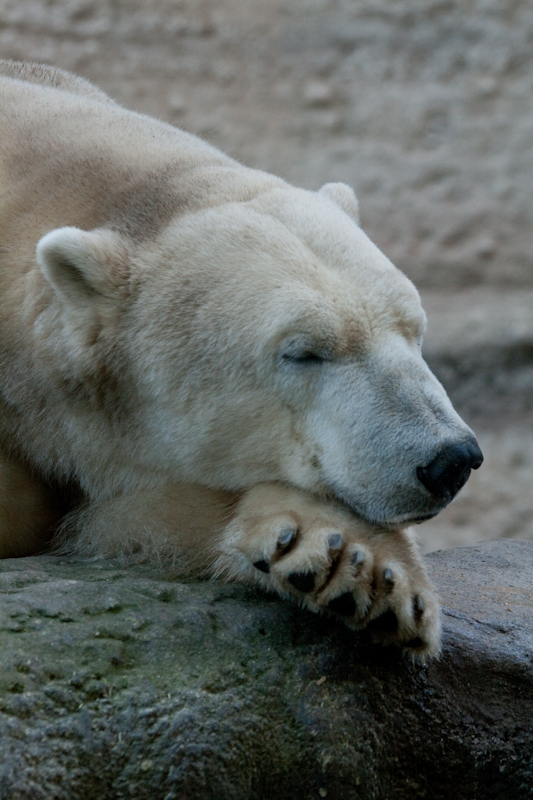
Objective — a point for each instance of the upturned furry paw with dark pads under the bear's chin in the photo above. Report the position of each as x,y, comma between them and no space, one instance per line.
329,561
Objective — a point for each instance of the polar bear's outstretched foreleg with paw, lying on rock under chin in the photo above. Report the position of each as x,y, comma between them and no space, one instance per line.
281,539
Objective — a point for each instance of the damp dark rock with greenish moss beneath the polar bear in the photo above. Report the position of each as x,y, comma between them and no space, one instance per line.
118,683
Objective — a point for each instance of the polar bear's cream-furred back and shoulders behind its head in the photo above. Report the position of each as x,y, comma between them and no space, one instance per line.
72,156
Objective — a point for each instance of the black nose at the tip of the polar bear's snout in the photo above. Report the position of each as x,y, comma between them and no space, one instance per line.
450,470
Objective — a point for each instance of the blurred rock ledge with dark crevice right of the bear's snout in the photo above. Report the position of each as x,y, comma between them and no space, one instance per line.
479,343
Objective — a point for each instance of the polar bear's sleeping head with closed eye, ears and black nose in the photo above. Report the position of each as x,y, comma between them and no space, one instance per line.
265,339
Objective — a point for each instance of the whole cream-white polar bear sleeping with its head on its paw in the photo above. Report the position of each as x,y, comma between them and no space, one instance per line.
203,363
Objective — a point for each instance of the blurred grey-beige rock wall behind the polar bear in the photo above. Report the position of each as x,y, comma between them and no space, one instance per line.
424,106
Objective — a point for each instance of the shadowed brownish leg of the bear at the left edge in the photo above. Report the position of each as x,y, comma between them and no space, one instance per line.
28,510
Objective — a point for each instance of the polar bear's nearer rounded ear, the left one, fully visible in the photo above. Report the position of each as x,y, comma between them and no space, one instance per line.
82,265
